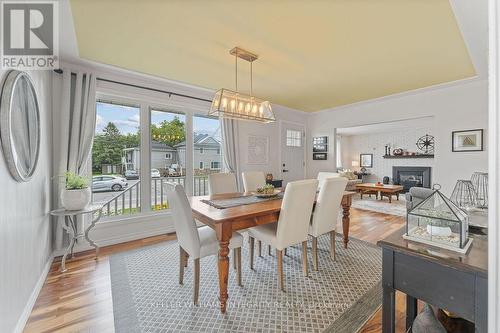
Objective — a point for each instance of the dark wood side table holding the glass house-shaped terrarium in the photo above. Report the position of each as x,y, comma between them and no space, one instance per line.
449,280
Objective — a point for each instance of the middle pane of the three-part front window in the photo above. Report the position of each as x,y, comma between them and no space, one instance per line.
168,154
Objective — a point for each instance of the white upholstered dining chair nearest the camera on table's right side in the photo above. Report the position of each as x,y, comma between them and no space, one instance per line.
292,227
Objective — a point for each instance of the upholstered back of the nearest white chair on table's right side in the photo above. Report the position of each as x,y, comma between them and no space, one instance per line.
295,214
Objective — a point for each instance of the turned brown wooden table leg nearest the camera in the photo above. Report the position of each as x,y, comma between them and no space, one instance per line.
224,233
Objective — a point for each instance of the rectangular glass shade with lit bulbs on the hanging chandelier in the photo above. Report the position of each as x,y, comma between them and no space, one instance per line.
231,104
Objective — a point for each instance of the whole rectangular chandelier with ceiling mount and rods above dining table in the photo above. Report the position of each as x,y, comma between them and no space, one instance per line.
236,105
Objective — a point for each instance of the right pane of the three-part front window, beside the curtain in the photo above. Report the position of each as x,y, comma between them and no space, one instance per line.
206,151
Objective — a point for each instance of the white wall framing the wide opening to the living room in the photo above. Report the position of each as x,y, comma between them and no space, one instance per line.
459,106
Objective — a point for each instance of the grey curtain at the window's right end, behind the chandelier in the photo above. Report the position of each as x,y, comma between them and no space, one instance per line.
229,130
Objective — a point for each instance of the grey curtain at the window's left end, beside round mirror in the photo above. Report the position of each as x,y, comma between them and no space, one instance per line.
73,132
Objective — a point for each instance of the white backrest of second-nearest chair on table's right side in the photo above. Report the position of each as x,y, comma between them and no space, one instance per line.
327,206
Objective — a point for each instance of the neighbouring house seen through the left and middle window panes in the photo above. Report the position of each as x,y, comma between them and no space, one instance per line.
162,156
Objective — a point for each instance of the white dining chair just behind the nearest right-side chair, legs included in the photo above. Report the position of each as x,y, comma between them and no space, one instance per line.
326,210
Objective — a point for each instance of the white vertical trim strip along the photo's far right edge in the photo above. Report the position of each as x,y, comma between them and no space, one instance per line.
494,169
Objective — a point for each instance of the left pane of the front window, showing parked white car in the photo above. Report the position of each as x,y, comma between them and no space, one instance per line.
115,159
